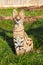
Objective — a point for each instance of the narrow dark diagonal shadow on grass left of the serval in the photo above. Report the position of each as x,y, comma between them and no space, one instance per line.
8,39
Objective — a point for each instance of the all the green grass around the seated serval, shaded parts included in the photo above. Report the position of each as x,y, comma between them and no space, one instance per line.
7,51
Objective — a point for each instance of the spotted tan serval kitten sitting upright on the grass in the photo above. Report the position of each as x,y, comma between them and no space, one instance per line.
22,42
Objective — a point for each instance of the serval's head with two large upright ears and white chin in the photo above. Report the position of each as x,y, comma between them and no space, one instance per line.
18,17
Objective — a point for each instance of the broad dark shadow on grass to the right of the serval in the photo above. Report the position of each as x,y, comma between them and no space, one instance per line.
37,33
